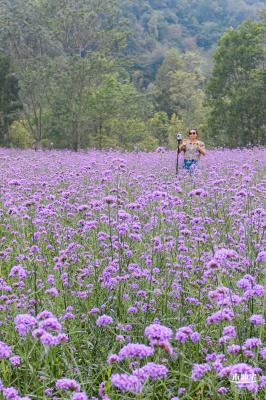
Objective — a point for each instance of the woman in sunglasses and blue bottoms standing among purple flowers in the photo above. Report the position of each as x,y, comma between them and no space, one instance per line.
193,149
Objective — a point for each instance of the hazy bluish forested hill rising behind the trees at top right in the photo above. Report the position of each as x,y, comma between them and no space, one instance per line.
187,25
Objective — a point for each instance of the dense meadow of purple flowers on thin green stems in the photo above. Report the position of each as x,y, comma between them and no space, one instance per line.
120,281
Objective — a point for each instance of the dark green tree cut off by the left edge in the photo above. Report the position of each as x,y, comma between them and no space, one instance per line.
10,106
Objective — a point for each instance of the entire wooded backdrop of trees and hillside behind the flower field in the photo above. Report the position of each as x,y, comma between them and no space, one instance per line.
130,74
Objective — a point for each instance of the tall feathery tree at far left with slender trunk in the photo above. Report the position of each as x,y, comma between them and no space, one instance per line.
28,43
